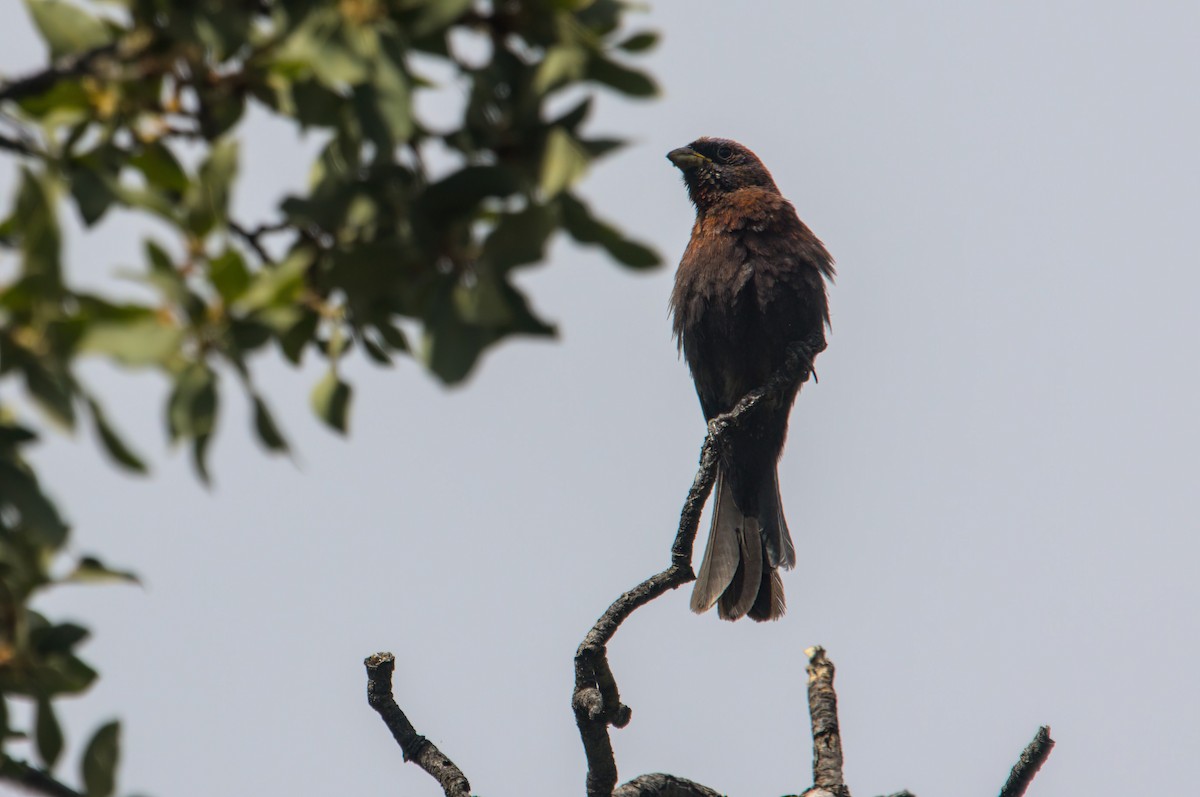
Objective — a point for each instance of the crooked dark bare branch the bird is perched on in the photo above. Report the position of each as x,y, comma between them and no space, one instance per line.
597,700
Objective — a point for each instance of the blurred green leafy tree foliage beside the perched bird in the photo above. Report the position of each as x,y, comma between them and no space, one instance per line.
405,243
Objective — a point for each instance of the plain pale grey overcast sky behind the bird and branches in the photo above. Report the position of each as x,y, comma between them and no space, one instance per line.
993,490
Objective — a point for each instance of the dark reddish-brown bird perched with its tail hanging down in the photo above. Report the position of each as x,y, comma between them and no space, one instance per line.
751,283
